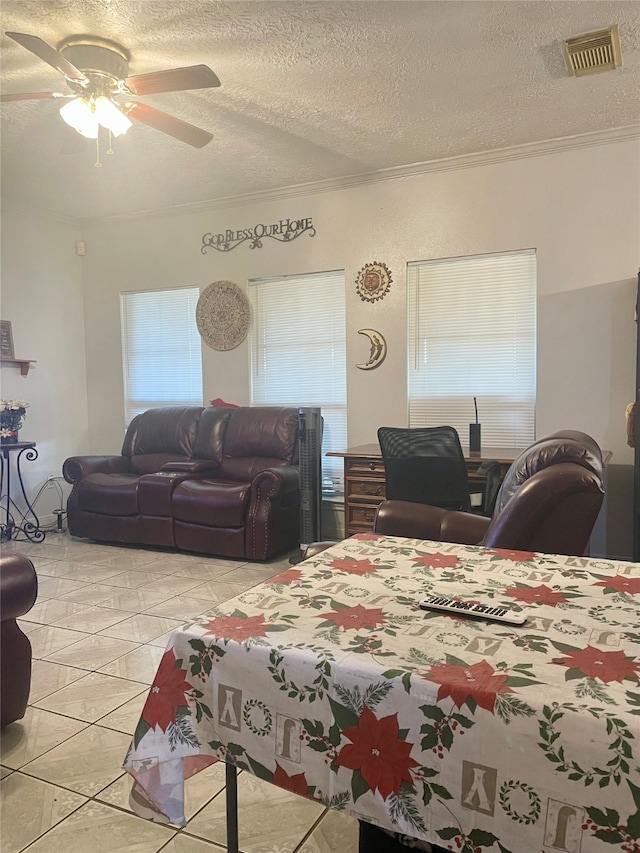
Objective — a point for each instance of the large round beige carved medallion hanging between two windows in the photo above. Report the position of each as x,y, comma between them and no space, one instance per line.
222,315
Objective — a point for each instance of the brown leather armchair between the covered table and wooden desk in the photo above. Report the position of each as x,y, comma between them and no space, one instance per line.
548,502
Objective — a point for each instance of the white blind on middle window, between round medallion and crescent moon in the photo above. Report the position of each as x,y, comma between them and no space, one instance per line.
298,354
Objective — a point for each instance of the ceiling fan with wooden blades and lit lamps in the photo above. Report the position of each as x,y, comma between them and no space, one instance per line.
95,70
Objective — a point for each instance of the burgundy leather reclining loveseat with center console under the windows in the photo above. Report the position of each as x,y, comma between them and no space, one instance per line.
217,481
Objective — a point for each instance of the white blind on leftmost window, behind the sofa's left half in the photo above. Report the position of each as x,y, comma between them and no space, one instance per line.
161,349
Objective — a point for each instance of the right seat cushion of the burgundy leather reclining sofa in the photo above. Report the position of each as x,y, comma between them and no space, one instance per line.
214,503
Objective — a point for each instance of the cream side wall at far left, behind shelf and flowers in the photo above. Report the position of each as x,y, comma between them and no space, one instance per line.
41,294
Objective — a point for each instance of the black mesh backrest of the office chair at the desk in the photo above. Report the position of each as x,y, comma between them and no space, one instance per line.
425,465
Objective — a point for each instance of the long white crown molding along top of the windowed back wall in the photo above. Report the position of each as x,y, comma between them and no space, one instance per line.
466,161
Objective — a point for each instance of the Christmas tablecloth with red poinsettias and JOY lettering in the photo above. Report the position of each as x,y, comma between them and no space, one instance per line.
329,681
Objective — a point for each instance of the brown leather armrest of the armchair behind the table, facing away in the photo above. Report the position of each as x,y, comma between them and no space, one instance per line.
420,521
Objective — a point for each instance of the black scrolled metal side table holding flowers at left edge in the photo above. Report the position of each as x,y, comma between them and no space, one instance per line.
16,521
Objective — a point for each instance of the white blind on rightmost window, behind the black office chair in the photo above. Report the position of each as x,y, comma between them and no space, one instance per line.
472,333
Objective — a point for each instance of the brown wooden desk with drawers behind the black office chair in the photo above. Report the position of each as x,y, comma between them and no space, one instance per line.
364,480
